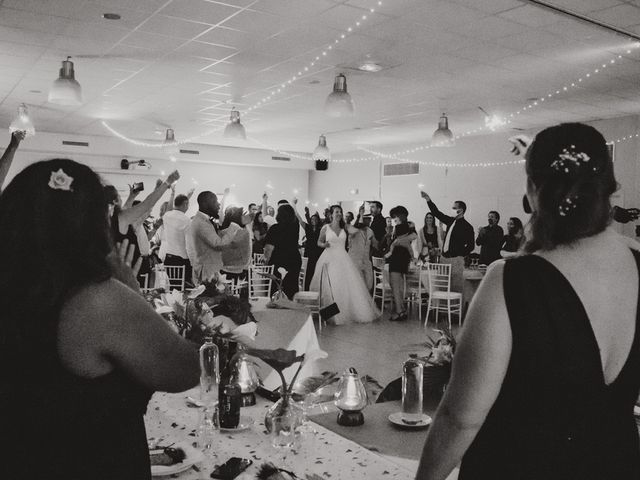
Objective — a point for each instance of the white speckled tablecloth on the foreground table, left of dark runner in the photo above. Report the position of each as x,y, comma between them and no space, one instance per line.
322,452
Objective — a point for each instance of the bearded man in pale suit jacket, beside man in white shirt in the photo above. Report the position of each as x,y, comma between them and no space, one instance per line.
203,240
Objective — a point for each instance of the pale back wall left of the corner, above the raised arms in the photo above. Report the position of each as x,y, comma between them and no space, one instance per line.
250,170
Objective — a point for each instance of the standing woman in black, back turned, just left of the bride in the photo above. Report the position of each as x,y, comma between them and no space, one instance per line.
281,248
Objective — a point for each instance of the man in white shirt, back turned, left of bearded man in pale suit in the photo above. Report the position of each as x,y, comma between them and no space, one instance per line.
175,223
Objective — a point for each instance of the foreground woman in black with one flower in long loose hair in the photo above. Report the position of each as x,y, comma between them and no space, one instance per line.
81,351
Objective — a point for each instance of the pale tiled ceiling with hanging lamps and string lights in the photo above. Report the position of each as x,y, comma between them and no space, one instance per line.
184,63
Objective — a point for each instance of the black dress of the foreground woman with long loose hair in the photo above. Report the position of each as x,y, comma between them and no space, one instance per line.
58,425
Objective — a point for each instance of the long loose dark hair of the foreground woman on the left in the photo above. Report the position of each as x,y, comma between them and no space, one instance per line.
54,241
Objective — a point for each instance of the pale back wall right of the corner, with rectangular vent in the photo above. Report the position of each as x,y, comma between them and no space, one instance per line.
483,189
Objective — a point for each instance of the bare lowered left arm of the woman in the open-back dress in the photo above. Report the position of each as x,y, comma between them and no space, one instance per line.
480,365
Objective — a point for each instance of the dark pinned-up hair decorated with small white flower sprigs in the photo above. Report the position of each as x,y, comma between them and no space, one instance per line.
571,169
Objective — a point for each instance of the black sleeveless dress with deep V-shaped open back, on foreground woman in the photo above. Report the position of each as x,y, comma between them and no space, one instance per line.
555,418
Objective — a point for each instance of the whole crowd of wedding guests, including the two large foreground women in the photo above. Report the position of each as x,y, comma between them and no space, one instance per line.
546,372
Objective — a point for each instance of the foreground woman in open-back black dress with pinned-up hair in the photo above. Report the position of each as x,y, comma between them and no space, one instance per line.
547,371
